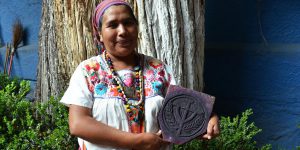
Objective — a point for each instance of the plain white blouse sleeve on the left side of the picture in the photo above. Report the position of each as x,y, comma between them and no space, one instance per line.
78,92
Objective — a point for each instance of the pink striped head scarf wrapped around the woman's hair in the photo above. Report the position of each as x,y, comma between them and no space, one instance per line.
98,13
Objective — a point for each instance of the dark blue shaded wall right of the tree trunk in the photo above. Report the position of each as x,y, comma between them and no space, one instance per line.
252,60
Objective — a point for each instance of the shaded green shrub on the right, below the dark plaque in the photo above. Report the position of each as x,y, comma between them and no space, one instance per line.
236,134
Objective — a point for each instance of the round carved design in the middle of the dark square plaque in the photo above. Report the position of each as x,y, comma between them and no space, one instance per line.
184,116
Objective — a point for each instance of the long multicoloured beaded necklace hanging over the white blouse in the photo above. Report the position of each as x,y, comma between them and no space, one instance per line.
135,111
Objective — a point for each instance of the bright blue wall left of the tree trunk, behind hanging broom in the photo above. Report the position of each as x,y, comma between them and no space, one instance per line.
26,57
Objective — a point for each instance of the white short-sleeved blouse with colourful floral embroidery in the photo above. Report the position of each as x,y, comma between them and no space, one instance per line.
91,86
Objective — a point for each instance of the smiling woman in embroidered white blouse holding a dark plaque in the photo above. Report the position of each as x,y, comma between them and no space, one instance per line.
114,97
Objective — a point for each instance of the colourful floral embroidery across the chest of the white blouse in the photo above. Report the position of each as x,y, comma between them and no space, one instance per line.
156,77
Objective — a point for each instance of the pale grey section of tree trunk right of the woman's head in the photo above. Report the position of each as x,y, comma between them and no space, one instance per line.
173,31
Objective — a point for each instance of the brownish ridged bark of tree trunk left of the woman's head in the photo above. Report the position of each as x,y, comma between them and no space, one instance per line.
65,40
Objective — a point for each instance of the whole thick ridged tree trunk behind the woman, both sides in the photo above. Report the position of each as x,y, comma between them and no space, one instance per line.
172,31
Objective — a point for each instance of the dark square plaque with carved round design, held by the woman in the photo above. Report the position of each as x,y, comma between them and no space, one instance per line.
185,114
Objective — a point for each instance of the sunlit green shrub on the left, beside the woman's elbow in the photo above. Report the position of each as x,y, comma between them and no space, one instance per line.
30,125
